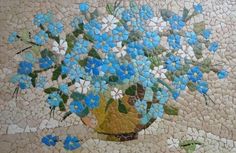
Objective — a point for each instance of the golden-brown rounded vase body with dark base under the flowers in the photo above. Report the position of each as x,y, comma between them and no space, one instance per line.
113,125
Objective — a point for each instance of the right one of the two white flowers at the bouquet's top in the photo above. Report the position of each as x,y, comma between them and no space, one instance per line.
156,23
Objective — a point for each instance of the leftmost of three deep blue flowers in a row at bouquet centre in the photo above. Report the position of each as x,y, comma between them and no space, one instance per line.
93,66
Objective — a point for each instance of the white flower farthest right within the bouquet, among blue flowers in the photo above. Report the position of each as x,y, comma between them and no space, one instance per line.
186,52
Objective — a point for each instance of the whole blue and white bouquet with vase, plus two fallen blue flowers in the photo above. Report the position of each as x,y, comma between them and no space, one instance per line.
116,69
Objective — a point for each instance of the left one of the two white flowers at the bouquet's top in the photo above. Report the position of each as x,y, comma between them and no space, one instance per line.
109,23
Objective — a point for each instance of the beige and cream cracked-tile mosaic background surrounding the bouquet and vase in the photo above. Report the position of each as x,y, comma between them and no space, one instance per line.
25,121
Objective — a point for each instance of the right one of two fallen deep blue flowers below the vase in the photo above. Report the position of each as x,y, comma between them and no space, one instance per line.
71,143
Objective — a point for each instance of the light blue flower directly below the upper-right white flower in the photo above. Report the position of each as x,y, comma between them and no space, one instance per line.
151,40
